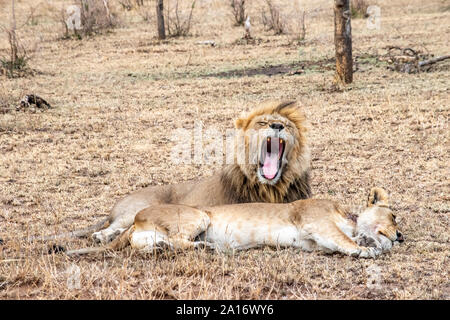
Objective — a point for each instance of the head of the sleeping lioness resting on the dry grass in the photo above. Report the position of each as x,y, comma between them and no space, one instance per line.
378,221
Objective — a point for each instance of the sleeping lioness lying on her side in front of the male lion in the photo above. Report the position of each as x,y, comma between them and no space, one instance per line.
307,224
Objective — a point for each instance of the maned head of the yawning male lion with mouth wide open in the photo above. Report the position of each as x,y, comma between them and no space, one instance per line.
275,142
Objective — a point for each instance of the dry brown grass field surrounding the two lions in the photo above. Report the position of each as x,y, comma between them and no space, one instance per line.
117,96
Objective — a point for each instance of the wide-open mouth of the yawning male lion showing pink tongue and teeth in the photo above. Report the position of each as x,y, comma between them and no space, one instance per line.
270,162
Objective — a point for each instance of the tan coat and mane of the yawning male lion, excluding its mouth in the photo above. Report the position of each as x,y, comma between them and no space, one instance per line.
235,183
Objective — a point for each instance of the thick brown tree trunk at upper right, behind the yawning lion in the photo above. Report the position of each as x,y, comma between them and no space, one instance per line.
343,41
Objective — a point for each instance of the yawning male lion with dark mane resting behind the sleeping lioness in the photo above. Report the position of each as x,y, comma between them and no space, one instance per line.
278,172
